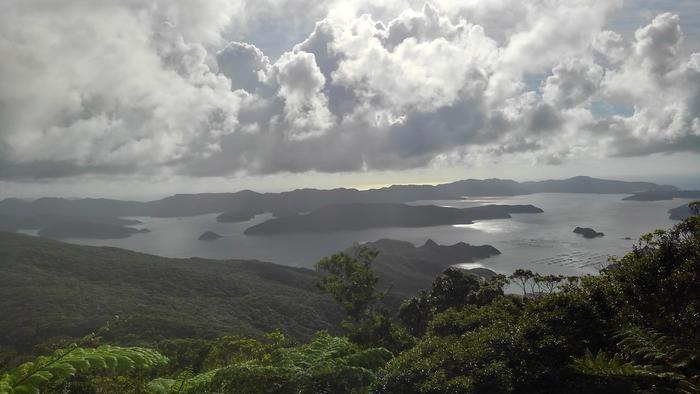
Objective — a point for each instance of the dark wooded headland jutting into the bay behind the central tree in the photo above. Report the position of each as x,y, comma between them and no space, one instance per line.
407,269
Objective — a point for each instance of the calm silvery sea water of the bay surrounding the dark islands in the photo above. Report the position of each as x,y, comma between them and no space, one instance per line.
541,242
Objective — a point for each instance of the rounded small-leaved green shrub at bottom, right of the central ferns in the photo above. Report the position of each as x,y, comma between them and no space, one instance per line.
450,360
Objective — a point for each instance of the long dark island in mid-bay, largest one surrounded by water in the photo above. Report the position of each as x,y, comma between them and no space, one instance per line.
364,216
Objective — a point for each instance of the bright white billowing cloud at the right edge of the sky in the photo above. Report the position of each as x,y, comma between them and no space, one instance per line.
663,85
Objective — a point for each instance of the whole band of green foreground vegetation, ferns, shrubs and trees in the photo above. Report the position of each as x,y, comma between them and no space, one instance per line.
635,327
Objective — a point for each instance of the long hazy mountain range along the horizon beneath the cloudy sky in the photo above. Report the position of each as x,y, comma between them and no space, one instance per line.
242,206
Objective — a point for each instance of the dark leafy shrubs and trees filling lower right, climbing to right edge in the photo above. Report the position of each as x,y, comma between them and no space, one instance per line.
539,344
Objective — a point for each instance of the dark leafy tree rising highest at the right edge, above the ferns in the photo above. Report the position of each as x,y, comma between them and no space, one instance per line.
657,285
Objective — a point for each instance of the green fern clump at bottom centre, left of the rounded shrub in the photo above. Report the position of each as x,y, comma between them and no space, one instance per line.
327,364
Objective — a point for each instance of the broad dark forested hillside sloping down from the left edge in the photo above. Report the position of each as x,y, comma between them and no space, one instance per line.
49,288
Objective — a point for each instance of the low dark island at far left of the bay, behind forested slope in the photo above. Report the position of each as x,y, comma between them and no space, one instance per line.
78,229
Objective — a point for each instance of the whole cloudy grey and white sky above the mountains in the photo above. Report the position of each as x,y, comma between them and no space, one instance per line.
145,98
